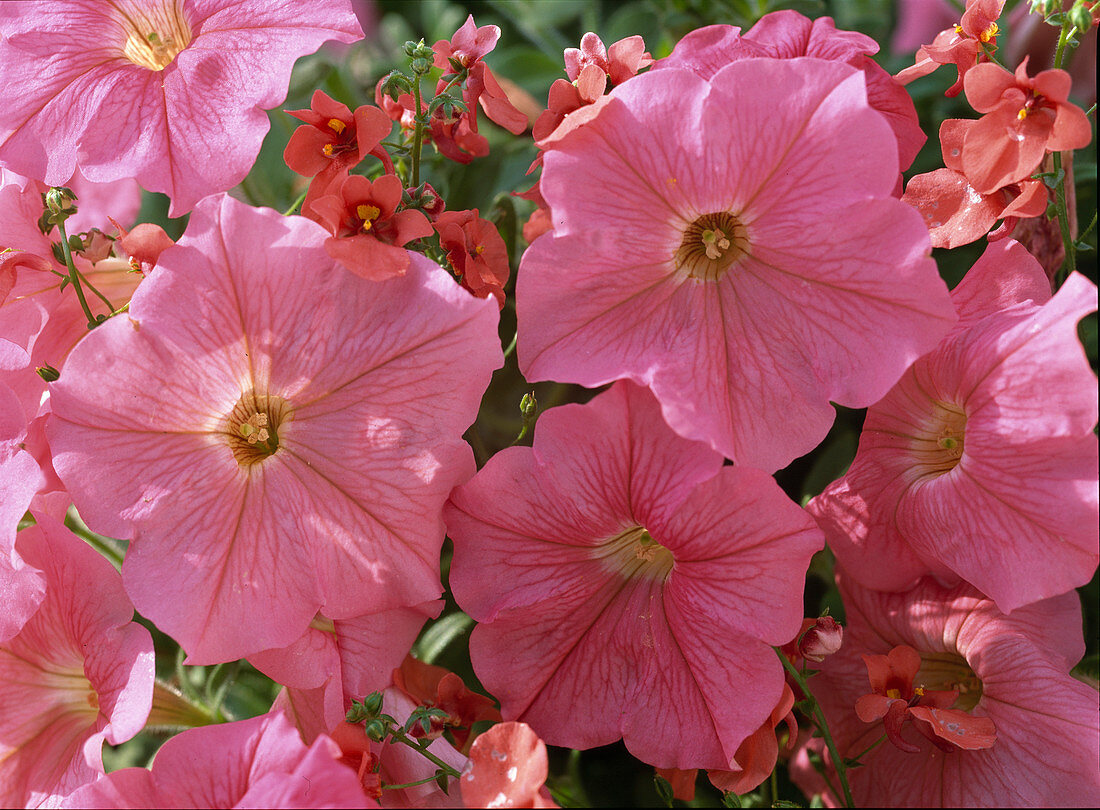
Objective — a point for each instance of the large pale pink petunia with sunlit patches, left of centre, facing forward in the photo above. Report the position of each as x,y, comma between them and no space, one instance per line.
274,435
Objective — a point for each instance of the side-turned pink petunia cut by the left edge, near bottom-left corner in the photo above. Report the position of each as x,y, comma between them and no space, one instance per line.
79,673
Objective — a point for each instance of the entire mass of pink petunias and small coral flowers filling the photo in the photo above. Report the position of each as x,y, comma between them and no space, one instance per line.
271,412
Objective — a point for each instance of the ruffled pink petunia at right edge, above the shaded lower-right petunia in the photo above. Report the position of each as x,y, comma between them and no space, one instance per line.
982,463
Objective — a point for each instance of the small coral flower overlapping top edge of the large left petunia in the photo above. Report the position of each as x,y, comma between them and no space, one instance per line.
368,231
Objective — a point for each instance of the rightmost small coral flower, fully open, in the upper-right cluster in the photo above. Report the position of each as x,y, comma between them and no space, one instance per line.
1026,118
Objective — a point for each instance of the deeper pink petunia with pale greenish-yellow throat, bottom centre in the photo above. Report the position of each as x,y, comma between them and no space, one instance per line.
629,585
